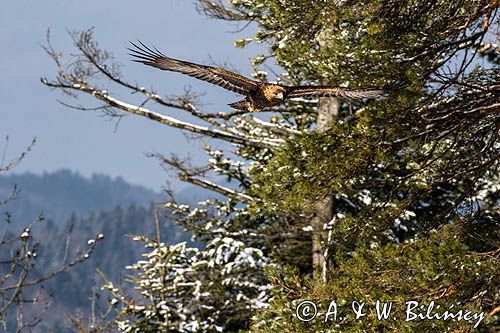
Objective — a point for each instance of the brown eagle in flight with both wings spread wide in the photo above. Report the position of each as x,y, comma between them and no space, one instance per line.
259,95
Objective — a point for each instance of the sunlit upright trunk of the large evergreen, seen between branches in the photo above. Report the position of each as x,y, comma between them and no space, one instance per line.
328,111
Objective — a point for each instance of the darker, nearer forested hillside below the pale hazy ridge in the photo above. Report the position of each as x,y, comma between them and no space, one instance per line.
73,291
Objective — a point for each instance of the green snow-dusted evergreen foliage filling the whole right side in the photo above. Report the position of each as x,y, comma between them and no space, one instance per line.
418,164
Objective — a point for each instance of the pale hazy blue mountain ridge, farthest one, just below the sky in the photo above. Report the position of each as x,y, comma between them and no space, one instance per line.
61,193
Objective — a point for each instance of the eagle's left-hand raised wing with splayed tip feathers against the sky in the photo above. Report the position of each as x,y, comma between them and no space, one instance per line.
221,77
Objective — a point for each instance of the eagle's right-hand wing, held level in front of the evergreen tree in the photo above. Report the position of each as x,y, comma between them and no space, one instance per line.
325,91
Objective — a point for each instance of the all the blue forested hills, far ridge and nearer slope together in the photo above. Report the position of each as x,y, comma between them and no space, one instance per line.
76,211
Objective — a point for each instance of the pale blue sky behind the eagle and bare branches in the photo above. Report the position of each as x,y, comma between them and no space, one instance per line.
83,141
